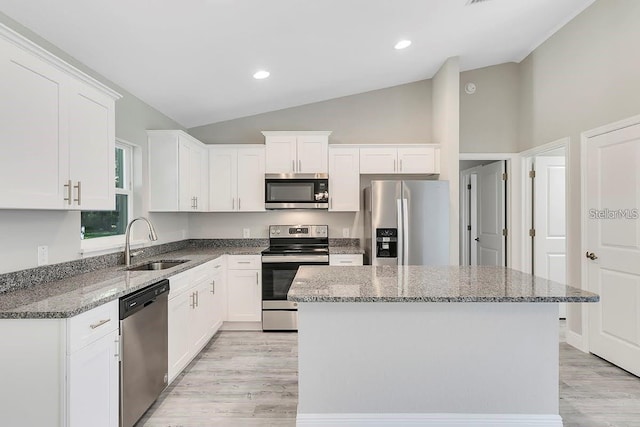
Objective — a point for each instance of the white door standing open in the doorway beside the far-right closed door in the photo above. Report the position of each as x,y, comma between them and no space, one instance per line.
549,219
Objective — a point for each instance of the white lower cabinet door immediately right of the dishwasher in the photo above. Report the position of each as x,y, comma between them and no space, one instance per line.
179,308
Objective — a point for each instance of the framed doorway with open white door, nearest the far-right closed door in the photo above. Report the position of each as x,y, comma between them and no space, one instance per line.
544,177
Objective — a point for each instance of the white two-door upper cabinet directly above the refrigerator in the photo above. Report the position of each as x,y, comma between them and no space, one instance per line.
400,159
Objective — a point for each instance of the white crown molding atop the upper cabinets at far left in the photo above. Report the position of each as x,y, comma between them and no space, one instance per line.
29,46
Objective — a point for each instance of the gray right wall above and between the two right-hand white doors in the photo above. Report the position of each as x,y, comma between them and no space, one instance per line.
584,76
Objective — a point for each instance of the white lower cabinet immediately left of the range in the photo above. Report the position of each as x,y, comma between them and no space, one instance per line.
244,288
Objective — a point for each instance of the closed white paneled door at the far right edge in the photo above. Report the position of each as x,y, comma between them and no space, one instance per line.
612,190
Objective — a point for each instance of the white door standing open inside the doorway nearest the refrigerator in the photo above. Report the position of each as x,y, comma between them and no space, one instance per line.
491,215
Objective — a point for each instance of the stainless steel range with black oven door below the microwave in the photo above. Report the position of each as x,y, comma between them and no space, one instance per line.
290,246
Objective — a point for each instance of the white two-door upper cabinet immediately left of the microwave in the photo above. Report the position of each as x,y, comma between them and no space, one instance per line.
236,178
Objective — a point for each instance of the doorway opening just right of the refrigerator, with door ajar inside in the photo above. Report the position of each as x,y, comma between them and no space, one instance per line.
483,216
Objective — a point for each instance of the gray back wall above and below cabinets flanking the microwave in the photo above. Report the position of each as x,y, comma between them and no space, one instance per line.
400,114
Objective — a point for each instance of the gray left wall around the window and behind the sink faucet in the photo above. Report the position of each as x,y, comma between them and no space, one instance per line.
23,231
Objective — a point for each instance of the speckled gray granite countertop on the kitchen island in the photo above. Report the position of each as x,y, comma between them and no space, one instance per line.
427,284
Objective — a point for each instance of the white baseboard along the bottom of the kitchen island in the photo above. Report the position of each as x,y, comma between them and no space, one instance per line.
440,420
